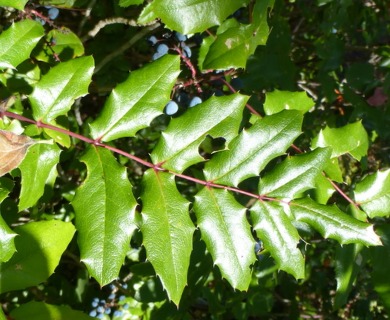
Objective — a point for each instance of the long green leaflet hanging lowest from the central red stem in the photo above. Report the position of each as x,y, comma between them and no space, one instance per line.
167,231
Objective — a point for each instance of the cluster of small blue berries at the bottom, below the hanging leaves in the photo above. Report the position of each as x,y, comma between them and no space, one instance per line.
112,306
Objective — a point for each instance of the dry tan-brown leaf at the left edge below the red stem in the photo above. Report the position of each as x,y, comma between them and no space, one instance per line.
13,149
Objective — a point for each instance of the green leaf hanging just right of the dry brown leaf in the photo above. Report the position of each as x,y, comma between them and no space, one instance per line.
41,159
